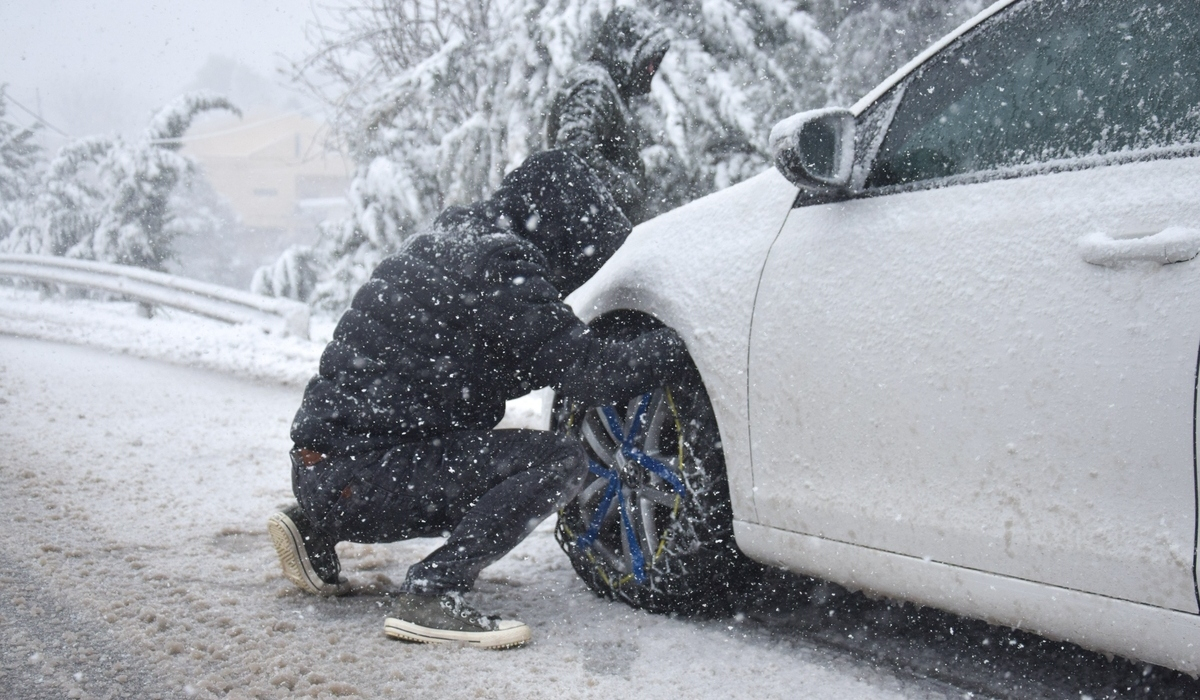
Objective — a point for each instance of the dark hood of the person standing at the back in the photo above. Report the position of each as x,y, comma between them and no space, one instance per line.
631,41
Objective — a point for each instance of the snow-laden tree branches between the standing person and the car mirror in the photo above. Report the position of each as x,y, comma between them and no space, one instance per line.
735,69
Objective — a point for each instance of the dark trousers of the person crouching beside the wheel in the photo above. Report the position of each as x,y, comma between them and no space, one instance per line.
483,490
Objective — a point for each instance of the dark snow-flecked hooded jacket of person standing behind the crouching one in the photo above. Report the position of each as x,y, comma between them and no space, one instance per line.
590,115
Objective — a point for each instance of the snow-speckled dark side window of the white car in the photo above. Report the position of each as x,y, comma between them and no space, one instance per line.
1049,81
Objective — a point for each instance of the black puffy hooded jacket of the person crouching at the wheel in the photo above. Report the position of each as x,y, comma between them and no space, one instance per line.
470,314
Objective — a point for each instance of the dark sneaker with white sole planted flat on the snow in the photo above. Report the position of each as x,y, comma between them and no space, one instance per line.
449,620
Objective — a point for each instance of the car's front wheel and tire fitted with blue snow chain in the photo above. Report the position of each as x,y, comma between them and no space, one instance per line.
653,527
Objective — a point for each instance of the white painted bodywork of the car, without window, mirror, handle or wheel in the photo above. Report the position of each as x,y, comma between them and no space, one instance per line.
1099,549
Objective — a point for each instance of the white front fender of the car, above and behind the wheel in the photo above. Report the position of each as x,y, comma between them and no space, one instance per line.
697,270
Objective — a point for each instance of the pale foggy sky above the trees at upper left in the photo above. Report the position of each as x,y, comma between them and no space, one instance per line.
106,65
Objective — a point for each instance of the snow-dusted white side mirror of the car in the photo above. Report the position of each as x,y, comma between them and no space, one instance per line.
815,149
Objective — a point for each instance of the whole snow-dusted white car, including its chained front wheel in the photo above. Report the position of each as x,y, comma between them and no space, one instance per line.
946,351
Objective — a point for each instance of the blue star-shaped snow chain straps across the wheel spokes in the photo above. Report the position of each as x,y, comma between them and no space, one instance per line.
614,490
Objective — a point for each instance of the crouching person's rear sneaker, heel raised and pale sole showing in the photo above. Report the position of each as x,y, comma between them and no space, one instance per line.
308,558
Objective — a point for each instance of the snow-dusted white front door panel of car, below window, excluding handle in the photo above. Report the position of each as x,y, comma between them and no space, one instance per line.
940,374
